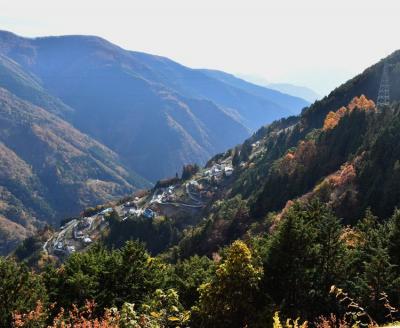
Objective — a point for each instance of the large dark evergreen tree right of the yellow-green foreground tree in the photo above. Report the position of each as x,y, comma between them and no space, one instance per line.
304,257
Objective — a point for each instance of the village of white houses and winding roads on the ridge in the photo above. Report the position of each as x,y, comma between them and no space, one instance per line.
170,197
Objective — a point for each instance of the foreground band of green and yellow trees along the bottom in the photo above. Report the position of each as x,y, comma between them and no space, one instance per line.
310,266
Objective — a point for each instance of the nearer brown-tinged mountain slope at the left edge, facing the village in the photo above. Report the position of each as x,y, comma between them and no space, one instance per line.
50,170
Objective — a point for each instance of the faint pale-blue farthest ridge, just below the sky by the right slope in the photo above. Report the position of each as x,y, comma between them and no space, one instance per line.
287,88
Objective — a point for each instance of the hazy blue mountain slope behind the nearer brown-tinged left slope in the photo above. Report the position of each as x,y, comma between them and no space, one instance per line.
141,106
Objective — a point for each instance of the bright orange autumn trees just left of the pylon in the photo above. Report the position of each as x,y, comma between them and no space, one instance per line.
358,103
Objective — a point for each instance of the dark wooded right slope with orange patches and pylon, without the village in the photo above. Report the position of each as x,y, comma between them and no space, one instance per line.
342,150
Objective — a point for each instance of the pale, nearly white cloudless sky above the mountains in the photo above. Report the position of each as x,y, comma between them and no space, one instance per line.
315,43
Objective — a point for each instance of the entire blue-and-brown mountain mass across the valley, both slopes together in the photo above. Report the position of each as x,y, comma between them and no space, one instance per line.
84,121
